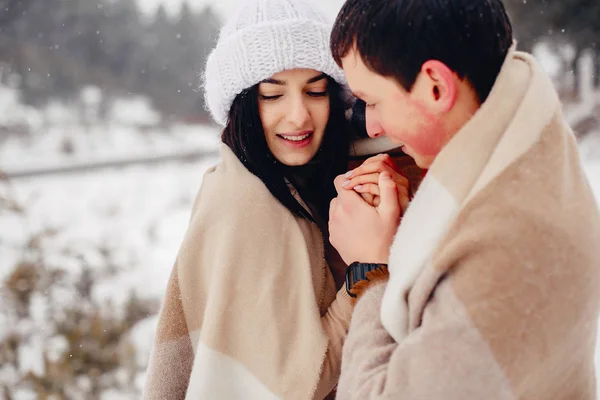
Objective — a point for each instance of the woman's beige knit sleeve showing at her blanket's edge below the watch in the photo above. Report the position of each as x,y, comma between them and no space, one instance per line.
335,324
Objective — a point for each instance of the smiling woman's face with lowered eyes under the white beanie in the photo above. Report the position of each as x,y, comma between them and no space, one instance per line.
294,110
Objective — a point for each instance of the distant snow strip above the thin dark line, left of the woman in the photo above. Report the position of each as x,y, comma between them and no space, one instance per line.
63,134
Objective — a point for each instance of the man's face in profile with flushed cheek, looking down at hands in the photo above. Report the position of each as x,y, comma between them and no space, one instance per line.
407,118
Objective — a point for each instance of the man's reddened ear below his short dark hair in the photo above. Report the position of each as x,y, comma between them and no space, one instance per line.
441,85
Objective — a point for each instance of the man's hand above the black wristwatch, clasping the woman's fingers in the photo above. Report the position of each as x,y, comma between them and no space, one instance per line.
359,231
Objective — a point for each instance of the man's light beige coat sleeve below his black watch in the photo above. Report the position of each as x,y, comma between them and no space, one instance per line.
445,358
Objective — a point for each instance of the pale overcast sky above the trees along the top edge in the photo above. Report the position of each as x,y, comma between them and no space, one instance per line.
226,6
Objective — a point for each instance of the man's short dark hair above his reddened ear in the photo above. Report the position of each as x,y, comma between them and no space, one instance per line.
395,37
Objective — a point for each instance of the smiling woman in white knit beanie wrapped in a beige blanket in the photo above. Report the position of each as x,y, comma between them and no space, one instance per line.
255,307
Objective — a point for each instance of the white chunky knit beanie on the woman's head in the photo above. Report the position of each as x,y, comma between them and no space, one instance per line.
263,38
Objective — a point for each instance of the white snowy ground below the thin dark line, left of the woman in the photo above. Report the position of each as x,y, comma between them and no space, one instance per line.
138,214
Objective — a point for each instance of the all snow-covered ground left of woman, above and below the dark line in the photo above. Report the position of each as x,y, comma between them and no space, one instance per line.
129,219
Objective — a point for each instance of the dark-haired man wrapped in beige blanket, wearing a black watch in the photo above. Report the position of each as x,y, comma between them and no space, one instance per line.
493,289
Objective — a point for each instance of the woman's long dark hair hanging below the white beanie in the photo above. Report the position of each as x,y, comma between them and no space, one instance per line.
244,134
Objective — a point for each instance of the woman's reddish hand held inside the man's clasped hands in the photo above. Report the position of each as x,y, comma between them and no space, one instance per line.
364,180
